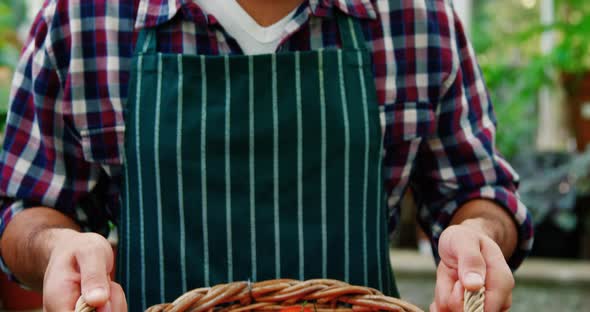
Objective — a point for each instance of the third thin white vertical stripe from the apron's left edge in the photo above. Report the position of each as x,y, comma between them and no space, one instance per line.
179,174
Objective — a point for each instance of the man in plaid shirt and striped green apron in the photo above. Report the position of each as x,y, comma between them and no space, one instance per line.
251,167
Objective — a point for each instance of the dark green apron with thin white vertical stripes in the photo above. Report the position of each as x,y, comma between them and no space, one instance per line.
252,168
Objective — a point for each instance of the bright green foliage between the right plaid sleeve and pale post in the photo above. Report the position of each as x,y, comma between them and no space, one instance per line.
511,79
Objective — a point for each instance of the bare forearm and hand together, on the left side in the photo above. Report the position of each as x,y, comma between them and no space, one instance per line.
45,251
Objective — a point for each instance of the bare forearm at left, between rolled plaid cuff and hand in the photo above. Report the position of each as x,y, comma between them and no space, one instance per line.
28,240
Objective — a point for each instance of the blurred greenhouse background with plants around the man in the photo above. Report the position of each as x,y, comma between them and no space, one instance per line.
535,55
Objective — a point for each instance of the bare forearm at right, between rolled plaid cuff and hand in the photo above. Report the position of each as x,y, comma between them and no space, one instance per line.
493,220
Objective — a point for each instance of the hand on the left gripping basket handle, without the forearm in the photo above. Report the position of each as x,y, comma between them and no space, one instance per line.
80,263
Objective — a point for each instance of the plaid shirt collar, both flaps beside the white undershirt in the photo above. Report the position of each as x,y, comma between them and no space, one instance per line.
152,13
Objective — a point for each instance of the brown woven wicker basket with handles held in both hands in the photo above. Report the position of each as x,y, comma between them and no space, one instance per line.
285,295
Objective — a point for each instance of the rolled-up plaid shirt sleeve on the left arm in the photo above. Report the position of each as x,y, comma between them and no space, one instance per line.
42,161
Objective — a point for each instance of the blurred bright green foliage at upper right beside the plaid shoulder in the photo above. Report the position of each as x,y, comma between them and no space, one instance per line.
506,35
